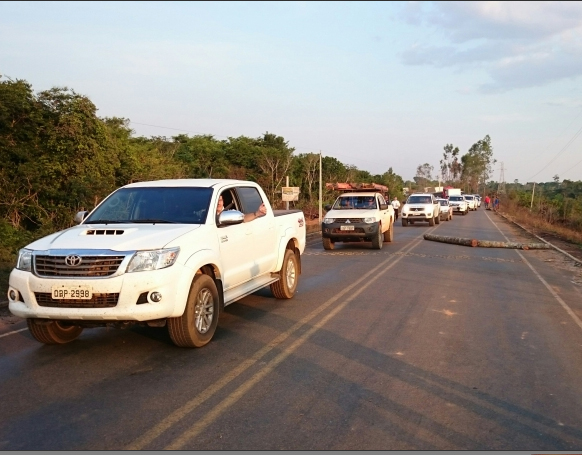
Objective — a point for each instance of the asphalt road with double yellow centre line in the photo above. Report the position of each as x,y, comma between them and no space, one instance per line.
420,345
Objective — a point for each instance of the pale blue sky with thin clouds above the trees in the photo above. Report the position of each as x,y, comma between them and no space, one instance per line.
376,85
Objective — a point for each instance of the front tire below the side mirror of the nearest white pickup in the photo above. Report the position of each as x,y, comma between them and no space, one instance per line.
196,327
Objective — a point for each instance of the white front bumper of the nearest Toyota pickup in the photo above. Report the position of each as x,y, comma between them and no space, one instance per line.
172,282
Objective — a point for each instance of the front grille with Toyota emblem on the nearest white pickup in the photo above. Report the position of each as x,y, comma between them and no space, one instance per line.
90,266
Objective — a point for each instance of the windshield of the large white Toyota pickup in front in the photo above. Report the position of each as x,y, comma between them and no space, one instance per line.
185,205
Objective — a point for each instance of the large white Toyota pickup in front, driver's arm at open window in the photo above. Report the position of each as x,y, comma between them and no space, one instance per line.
158,253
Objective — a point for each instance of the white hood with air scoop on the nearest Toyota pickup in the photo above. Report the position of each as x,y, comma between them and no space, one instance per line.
117,237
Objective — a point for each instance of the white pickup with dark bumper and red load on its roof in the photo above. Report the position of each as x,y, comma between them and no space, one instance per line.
358,217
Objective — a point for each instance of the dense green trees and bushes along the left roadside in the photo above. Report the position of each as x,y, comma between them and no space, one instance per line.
59,157
